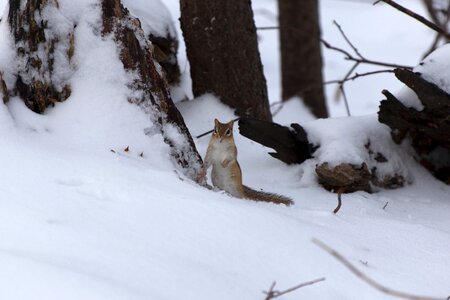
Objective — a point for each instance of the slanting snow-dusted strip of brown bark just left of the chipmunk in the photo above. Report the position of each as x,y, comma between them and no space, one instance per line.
154,92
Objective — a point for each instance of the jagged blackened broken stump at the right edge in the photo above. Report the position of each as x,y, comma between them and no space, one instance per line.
428,129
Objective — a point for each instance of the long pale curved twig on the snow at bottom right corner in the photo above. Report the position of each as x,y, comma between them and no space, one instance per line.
368,280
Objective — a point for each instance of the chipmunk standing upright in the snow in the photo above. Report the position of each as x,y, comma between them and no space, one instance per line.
226,173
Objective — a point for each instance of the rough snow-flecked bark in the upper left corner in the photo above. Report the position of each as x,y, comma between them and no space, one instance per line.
36,82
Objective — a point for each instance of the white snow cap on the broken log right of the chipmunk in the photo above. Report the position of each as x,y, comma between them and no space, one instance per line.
349,139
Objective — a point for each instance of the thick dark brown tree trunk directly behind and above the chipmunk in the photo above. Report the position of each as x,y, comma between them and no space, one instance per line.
222,49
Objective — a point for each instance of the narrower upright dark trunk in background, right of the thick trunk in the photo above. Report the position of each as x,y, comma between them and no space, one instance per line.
301,59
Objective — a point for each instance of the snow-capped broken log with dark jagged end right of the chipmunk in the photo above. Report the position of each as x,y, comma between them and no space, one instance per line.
348,154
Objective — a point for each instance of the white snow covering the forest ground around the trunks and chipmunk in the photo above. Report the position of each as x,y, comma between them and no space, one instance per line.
79,221
